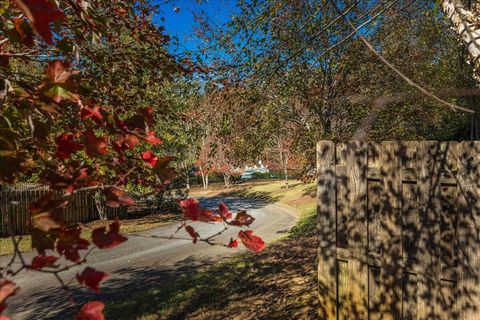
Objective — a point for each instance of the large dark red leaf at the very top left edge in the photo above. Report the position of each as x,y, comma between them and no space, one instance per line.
41,13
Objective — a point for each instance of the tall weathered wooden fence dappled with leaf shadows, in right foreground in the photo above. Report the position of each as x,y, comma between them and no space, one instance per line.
399,230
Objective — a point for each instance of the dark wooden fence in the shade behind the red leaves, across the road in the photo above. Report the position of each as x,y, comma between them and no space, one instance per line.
14,202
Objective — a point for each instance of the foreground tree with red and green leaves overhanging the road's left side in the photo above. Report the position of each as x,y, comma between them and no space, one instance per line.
79,97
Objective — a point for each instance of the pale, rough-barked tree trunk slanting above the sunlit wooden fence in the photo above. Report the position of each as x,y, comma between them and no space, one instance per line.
466,24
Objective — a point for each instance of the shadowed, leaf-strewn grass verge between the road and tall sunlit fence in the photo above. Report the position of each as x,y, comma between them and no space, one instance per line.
278,283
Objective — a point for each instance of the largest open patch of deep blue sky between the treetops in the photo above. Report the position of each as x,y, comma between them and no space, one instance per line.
181,23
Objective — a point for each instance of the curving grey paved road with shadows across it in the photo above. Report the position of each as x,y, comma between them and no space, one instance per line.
143,262
